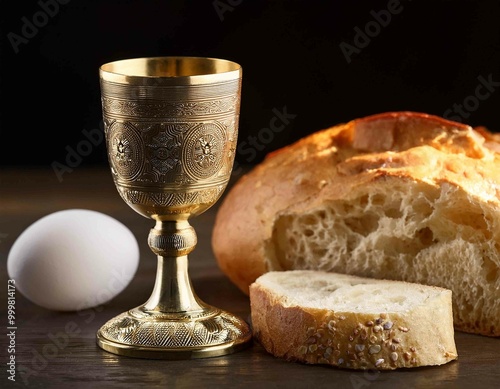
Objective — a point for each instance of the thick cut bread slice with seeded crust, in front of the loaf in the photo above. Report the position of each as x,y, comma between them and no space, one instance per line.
352,322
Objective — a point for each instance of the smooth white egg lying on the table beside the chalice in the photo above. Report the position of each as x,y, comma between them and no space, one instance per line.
73,259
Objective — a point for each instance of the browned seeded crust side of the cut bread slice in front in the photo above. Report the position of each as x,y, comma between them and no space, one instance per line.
421,337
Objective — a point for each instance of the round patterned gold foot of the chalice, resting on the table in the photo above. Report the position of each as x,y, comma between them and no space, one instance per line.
210,332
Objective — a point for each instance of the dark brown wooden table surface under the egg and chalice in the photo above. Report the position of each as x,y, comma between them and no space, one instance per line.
29,194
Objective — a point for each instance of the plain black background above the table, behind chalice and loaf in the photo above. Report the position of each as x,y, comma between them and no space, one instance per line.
427,58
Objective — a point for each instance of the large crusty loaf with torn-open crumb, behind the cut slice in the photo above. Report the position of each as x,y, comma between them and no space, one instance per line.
403,196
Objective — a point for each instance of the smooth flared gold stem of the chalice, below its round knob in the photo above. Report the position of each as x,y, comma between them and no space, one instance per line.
173,292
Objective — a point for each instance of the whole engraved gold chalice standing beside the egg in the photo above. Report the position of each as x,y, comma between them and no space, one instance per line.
171,127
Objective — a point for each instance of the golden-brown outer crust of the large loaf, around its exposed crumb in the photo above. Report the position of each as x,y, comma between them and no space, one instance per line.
340,162
